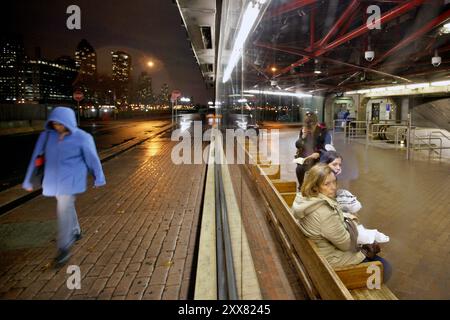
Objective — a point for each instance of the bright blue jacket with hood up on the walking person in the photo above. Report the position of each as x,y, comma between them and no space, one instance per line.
67,162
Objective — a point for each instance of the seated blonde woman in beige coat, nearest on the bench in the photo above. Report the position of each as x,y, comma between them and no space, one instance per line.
321,219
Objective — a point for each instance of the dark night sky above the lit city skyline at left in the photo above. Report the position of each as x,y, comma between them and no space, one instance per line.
146,29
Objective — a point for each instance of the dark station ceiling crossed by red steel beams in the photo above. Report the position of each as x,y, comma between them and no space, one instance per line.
320,46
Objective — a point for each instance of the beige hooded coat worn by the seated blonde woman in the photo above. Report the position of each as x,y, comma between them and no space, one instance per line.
321,220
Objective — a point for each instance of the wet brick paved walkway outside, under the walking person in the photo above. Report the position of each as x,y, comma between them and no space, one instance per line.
139,234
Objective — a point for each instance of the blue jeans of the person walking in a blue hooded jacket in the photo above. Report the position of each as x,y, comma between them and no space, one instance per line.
68,225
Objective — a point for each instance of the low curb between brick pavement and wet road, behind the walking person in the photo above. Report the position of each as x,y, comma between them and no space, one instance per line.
15,196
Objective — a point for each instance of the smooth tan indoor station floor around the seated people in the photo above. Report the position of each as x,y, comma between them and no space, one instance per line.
407,200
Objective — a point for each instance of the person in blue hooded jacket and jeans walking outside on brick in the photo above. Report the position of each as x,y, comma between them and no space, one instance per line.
70,154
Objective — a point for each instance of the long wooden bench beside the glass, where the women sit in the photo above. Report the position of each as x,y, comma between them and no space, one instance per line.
320,280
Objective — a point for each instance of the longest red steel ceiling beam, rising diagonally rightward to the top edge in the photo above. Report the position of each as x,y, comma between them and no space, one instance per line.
388,16
